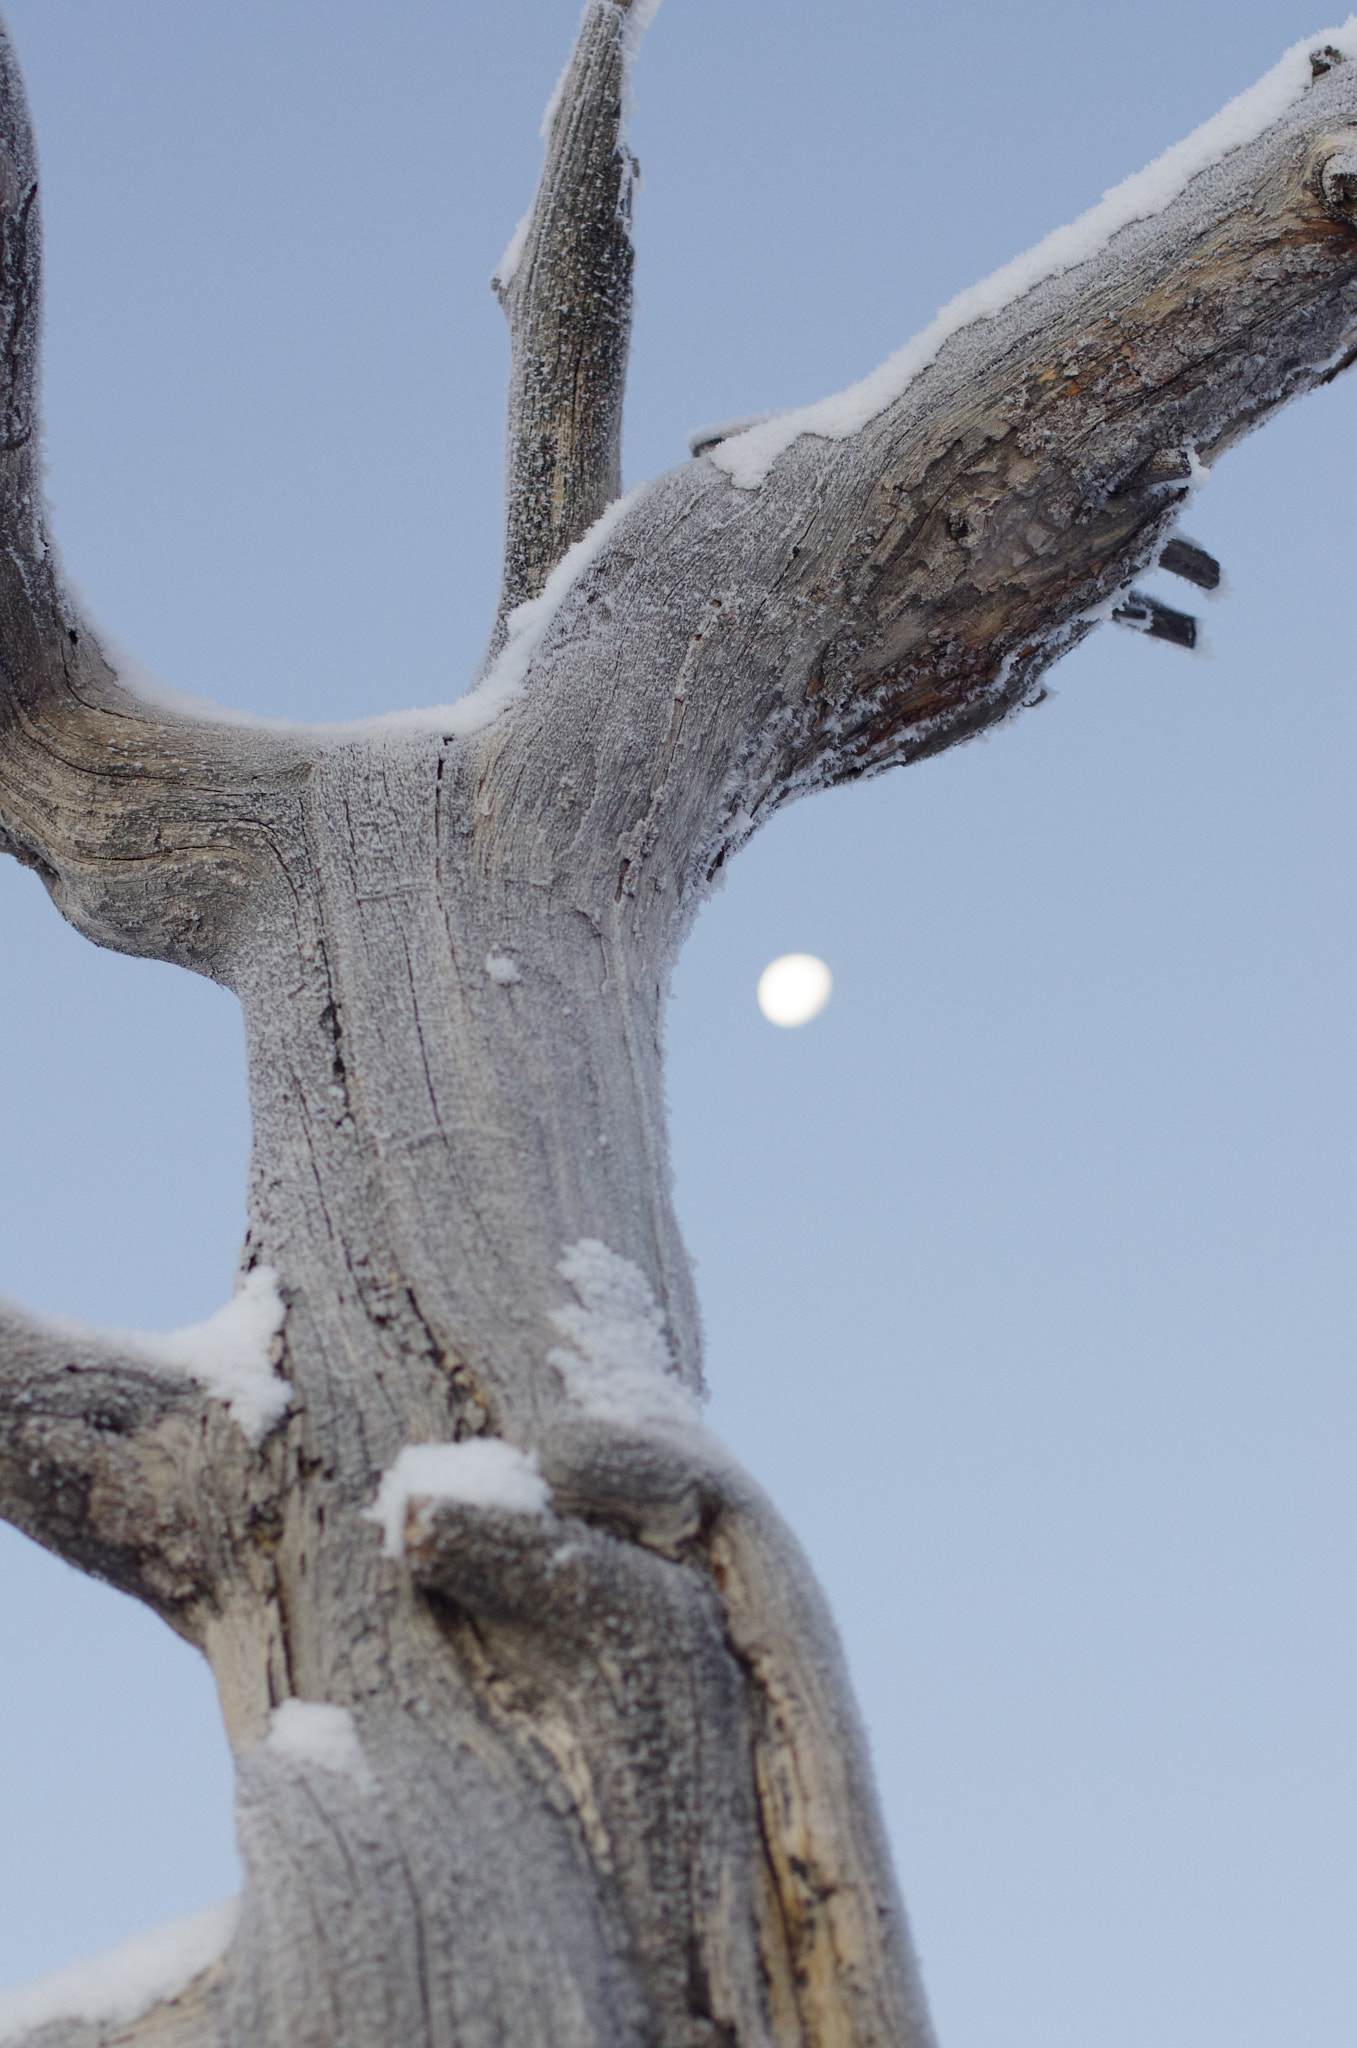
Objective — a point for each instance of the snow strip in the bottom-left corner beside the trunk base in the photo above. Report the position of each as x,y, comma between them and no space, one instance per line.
122,1986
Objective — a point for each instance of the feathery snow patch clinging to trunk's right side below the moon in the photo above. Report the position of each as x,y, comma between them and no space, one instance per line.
619,1365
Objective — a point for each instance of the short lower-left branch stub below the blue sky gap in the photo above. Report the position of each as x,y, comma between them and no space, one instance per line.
101,1461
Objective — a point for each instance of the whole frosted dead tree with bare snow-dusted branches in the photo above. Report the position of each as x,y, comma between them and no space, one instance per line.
590,1773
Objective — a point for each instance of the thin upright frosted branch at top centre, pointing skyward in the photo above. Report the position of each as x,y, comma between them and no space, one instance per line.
566,286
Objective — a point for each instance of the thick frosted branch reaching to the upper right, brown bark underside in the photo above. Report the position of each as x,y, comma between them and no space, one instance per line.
902,587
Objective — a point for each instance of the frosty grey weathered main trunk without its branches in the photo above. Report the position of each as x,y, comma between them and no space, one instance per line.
595,1809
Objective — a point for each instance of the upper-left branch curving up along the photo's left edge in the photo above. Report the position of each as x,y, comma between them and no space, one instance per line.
148,828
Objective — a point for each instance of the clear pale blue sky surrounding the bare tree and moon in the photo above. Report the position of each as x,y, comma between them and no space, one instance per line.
1028,1267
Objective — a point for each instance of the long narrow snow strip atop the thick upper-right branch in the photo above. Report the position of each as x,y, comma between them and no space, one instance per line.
748,458
